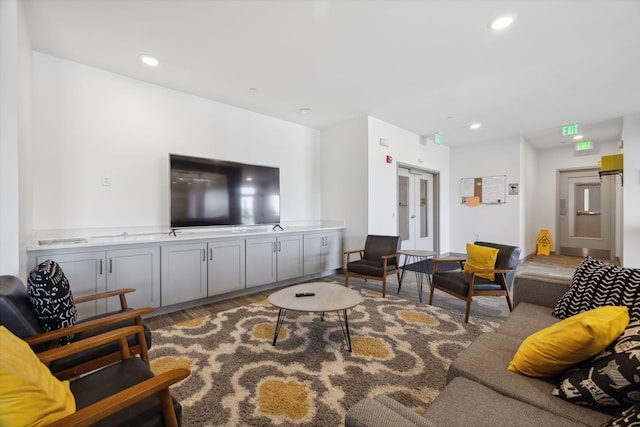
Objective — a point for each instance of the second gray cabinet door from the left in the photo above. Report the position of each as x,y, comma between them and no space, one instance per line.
134,268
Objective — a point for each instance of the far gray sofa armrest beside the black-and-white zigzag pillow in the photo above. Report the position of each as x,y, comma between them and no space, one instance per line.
539,290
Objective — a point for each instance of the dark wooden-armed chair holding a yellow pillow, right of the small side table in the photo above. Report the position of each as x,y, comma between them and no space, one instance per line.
466,285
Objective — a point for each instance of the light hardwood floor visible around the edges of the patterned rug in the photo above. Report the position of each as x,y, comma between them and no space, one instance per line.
487,308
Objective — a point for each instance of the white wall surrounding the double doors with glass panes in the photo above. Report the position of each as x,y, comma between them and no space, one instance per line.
405,148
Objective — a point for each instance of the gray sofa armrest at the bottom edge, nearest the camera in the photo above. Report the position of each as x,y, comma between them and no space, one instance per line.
383,411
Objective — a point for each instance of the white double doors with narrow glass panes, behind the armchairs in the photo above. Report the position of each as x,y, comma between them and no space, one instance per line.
418,200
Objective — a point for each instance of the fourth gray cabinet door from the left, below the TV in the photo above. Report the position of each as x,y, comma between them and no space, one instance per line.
226,266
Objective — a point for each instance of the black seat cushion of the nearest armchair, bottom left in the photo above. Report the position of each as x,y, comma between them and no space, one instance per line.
112,379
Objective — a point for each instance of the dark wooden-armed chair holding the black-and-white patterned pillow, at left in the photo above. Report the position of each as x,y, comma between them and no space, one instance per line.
18,316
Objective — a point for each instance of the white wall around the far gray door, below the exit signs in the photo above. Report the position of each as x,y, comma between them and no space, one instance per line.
549,161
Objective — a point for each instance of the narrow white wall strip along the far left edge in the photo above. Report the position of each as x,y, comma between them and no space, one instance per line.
9,137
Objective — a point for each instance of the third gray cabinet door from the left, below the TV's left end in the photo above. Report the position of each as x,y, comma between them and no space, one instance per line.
183,273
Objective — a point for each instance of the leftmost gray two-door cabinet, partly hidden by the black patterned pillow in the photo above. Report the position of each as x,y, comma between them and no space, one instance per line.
91,272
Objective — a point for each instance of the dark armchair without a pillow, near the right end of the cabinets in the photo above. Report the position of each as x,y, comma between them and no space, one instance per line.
378,259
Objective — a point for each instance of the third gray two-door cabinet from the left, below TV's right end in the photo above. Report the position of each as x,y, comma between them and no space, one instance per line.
273,259
